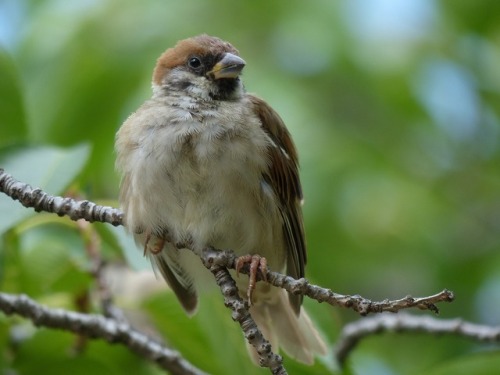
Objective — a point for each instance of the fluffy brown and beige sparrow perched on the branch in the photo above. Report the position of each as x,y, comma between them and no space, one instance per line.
204,163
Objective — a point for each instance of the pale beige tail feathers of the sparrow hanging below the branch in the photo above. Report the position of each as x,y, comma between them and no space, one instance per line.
282,327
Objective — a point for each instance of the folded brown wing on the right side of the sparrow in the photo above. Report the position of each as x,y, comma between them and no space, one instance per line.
284,177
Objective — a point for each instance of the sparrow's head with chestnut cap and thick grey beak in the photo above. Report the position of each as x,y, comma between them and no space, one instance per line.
205,67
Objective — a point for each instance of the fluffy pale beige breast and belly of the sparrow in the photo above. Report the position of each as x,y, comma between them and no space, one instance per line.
198,174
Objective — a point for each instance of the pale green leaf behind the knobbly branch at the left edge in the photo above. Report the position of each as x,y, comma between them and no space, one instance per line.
49,168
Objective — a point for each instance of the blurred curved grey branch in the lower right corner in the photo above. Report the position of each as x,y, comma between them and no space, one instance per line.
354,332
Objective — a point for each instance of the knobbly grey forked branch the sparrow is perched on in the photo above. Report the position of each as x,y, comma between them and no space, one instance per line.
218,262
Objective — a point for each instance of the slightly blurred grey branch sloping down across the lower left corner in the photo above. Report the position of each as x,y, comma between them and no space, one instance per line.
93,326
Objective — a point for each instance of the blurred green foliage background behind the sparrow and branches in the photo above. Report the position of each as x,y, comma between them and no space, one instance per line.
394,107
